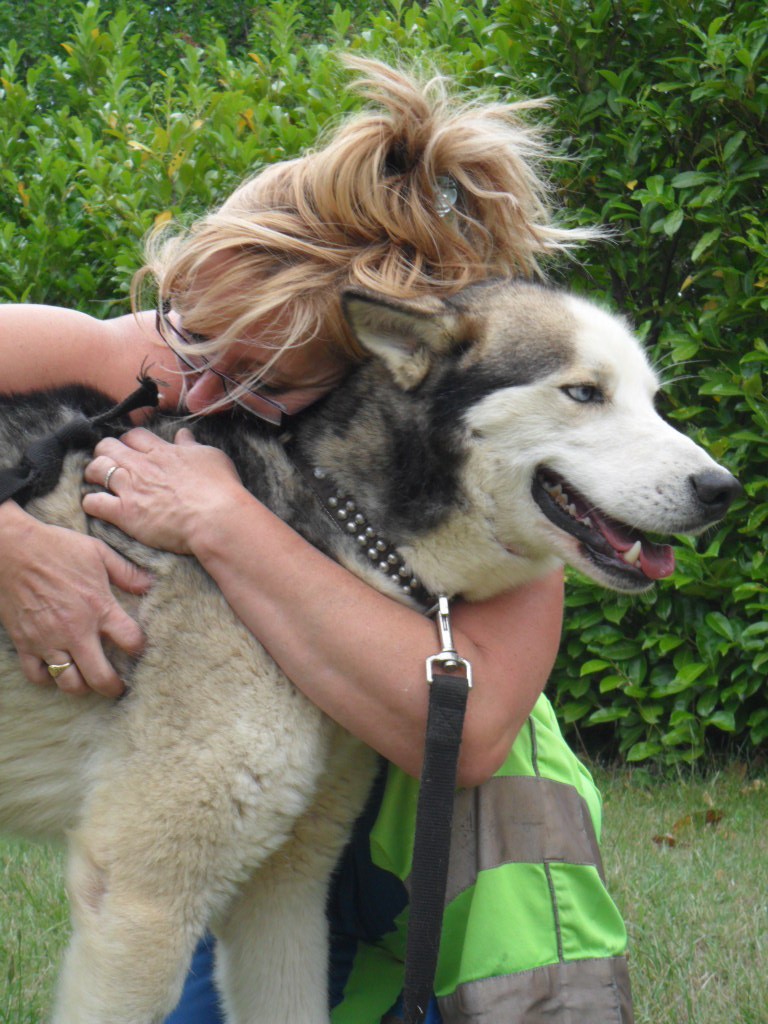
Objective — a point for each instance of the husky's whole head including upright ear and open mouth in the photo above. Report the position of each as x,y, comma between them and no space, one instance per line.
564,454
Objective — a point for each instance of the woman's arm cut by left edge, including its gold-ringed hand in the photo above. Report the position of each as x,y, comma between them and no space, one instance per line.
56,602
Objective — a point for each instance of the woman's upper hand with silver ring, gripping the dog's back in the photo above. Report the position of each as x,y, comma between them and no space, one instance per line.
159,493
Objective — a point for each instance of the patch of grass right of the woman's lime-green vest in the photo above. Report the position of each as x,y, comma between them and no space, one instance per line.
688,864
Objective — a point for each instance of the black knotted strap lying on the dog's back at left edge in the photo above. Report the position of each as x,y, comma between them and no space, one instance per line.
40,466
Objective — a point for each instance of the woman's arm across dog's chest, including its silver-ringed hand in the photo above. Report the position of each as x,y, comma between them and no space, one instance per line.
356,654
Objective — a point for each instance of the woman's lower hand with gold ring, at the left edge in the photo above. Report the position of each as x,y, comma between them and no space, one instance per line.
57,606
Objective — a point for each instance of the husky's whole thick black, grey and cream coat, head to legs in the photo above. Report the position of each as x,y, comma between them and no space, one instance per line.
490,438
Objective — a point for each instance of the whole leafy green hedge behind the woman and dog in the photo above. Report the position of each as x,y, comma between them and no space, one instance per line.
114,118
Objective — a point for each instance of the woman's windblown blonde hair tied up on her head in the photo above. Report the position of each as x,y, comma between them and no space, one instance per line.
364,210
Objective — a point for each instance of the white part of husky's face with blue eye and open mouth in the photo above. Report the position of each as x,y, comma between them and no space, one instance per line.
587,456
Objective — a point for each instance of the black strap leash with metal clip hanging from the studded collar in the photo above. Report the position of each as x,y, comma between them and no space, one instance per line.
448,701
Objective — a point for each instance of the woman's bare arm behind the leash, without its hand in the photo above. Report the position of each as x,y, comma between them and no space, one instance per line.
361,657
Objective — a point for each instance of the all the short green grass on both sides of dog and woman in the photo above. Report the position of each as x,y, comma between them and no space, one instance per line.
688,864
